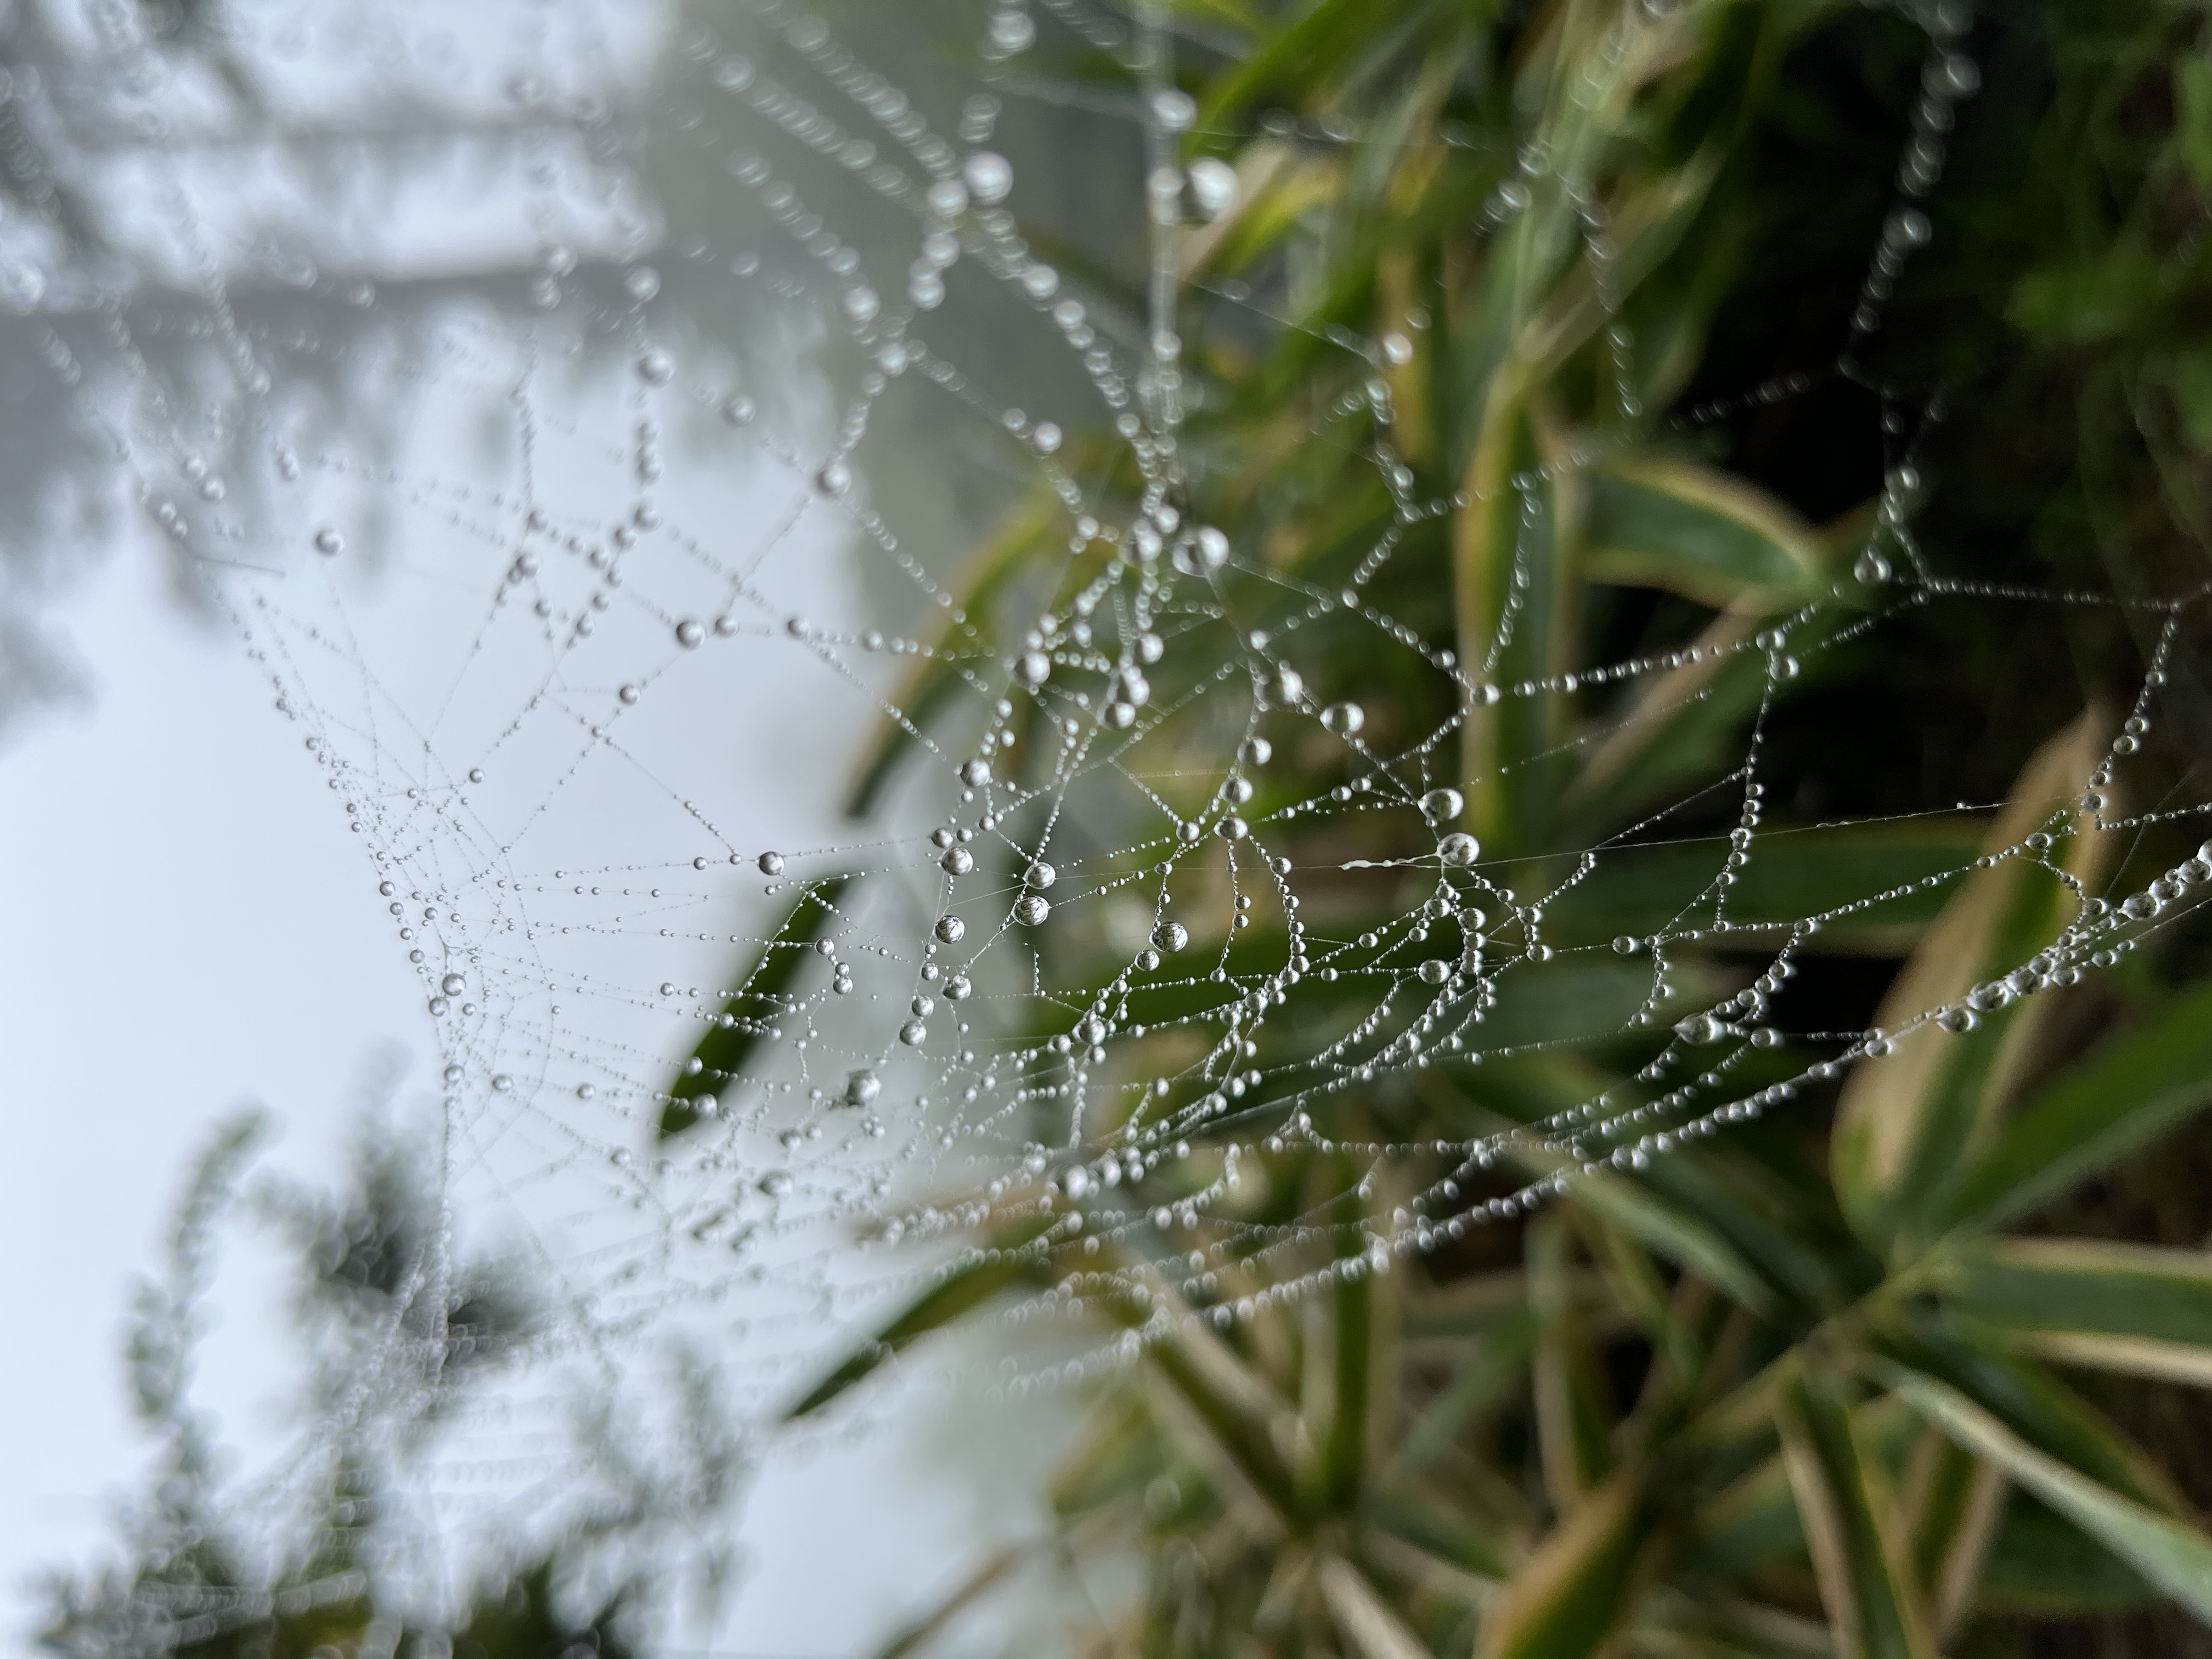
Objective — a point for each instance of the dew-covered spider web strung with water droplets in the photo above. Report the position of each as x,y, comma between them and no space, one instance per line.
851,811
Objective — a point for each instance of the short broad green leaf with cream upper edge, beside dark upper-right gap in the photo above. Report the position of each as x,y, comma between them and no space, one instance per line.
1667,523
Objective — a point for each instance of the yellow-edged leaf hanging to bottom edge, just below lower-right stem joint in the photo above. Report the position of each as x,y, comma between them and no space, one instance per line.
1853,1527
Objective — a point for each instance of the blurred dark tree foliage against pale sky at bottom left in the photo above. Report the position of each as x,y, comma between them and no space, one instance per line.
300,1569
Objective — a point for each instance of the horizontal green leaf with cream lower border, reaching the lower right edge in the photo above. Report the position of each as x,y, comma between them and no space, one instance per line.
2089,1302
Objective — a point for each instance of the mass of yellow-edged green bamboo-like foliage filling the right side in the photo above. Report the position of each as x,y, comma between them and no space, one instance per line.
1908,1366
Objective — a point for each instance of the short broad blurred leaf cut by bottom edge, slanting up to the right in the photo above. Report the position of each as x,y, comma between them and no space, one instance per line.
1578,1585
